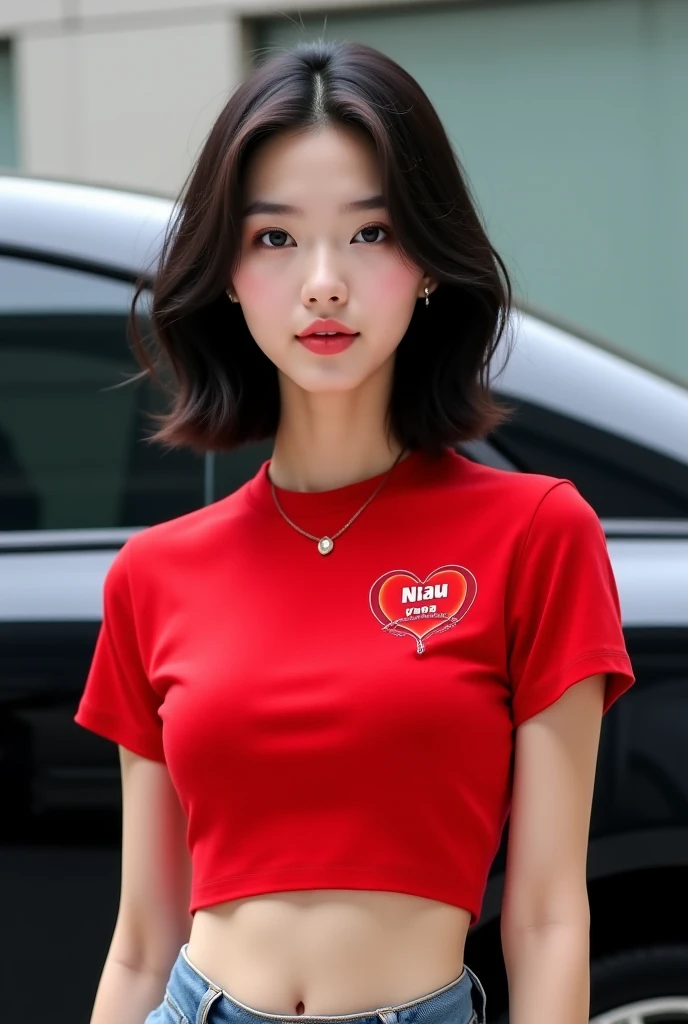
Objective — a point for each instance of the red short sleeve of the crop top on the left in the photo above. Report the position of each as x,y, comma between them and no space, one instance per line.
118,701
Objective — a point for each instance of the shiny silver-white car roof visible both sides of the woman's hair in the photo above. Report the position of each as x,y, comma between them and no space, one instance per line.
548,365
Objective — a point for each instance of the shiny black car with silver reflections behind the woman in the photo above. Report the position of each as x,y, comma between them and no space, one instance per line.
78,478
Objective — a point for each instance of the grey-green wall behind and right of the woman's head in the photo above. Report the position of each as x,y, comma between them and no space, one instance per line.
571,120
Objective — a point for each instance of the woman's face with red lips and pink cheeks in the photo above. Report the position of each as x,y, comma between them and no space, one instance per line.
318,243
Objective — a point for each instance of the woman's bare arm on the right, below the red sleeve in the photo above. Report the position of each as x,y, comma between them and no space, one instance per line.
545,910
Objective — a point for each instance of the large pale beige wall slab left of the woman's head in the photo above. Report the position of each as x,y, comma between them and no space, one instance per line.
127,107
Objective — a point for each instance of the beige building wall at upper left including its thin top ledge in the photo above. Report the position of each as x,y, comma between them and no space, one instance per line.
123,92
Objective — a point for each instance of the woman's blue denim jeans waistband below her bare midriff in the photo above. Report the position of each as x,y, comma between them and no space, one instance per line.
191,998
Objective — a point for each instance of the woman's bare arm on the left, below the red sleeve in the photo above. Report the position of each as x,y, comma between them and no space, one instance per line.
153,920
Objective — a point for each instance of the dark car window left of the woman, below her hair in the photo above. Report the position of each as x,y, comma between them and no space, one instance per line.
72,454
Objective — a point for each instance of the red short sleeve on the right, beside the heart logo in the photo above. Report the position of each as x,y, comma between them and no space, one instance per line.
564,616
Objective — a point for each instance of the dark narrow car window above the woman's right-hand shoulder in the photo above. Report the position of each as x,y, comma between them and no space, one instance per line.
620,479
